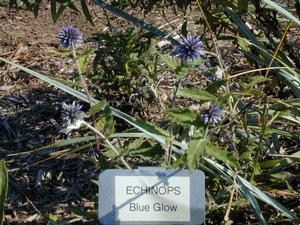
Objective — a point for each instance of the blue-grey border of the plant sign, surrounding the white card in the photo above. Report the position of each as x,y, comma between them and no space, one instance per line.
107,208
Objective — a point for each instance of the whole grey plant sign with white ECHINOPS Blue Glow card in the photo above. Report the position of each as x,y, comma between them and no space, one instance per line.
151,196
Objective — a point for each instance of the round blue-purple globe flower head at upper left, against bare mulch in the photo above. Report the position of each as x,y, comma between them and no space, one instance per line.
69,36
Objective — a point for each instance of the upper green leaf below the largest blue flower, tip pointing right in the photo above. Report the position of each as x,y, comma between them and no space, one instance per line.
197,94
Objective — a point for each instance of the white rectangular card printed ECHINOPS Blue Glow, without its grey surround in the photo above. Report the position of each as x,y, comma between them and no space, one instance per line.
152,198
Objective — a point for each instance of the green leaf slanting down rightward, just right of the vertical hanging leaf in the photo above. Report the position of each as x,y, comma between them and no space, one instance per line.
222,155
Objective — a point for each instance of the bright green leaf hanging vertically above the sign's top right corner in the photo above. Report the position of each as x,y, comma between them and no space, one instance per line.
196,149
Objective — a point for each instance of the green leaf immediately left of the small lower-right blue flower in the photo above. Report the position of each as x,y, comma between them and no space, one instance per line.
183,116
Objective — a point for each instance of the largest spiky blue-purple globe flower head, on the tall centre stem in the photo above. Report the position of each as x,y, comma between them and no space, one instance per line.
190,48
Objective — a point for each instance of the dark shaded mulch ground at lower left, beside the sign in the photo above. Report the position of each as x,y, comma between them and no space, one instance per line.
38,184
